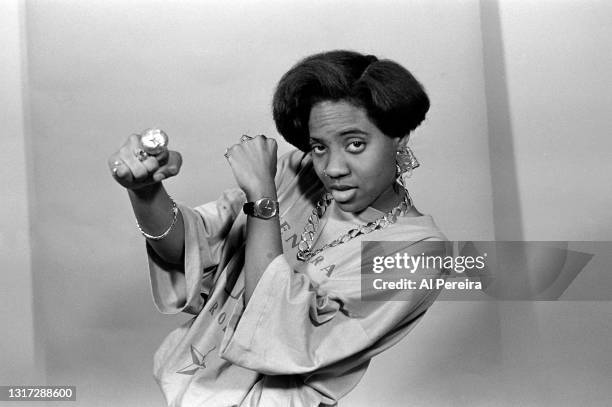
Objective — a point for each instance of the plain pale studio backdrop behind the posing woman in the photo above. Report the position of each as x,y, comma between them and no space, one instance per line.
516,146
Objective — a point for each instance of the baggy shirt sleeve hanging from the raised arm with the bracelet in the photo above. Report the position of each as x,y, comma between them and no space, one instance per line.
184,288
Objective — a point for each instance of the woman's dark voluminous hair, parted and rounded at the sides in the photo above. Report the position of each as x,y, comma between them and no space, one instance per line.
393,99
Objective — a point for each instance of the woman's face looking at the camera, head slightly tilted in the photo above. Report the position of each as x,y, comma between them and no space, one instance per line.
353,158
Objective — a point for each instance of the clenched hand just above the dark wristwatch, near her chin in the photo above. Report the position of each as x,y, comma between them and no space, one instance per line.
253,163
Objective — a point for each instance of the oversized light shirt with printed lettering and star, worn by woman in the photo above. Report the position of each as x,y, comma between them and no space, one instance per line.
306,336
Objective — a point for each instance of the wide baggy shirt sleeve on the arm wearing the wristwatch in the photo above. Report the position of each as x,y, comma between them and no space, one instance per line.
290,327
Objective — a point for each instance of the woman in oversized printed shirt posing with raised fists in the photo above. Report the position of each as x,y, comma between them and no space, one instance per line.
272,271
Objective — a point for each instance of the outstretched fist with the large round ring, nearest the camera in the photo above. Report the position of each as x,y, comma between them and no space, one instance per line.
134,174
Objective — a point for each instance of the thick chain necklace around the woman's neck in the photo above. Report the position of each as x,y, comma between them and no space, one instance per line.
305,251
